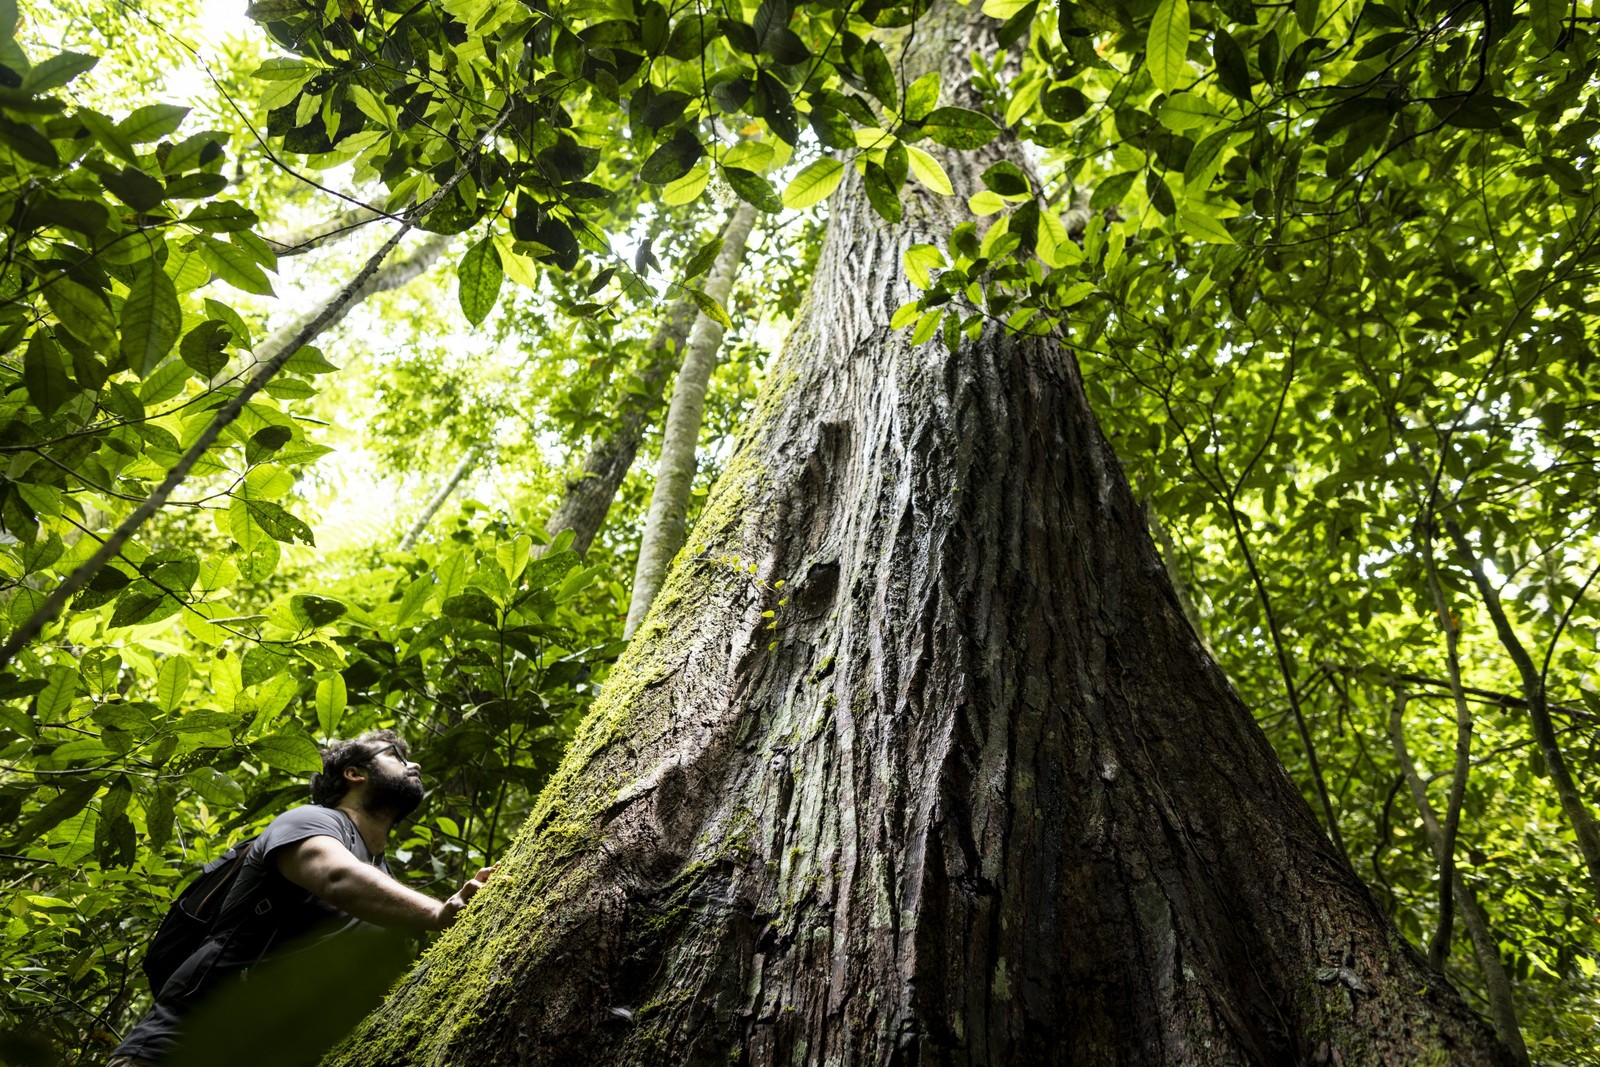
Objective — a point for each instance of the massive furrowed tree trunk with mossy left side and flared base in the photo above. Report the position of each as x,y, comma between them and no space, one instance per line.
974,796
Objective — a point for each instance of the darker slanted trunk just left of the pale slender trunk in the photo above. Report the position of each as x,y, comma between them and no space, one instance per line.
588,500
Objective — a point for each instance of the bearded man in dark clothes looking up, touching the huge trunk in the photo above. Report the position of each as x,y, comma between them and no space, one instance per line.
316,873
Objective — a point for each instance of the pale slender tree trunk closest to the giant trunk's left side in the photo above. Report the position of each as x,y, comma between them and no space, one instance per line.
670,503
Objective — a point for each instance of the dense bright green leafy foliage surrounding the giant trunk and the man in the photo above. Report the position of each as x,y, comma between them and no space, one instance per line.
1329,268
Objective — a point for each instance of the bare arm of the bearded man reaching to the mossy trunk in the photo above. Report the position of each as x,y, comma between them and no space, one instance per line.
332,873
